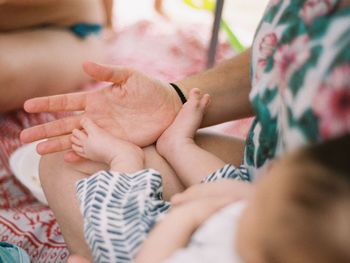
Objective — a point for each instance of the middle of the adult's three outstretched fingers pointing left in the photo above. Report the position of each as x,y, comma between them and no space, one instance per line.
51,129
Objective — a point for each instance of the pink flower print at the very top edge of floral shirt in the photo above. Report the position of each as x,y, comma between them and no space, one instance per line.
315,8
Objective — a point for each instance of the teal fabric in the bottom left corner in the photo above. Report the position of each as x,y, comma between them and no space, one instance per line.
11,253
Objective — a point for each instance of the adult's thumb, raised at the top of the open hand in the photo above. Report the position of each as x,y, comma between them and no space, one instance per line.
115,74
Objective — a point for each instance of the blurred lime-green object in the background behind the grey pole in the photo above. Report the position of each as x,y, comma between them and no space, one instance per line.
209,5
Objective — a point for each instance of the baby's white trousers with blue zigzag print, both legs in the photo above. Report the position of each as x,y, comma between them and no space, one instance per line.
120,209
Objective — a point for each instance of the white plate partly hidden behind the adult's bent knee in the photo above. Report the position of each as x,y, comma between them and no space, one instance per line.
24,164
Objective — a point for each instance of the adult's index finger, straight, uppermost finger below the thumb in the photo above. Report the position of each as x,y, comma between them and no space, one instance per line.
65,102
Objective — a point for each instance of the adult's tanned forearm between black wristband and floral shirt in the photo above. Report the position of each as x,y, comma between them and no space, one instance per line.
228,85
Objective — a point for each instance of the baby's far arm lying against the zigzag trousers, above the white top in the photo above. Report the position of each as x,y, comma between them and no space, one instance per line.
223,189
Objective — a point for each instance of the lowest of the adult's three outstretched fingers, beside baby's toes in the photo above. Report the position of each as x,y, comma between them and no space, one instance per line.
52,145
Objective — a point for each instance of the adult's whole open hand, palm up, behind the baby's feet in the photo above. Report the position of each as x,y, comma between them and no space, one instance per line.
135,108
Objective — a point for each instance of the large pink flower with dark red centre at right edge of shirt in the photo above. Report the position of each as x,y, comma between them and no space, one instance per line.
332,104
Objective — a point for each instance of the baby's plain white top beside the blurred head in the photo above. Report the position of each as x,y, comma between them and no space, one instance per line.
215,240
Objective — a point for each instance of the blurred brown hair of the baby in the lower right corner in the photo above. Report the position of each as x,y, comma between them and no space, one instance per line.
315,225
